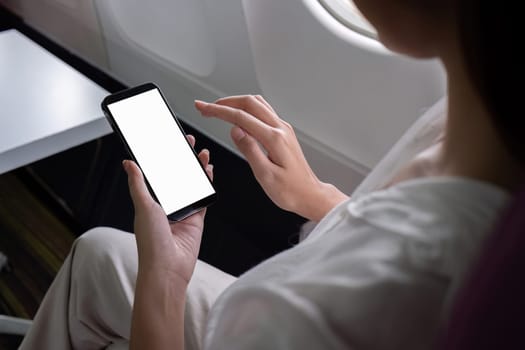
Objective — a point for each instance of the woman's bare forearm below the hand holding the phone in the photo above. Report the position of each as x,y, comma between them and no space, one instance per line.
158,312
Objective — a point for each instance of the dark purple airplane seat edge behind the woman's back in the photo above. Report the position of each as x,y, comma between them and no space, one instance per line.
489,310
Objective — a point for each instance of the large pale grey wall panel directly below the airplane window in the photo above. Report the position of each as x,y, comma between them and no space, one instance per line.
355,98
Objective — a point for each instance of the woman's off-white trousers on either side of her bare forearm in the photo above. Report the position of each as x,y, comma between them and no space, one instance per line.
89,304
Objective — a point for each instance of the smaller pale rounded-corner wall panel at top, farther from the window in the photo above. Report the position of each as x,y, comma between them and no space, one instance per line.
174,31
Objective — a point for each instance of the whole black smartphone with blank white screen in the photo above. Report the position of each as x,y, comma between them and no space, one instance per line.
156,141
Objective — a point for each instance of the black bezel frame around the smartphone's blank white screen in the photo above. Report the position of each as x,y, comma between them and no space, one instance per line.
137,90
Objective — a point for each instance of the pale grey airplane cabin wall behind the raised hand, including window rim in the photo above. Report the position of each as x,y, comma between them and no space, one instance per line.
348,98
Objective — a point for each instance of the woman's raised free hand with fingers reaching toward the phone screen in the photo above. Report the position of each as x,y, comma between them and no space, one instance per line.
279,166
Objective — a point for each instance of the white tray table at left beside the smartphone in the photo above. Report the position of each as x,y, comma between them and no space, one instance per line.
45,105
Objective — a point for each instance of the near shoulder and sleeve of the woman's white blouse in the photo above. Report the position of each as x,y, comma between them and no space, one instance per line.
376,273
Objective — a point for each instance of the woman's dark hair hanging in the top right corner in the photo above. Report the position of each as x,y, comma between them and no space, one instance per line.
491,42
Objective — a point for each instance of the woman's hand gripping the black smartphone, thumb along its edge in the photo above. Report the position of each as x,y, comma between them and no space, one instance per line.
165,247
